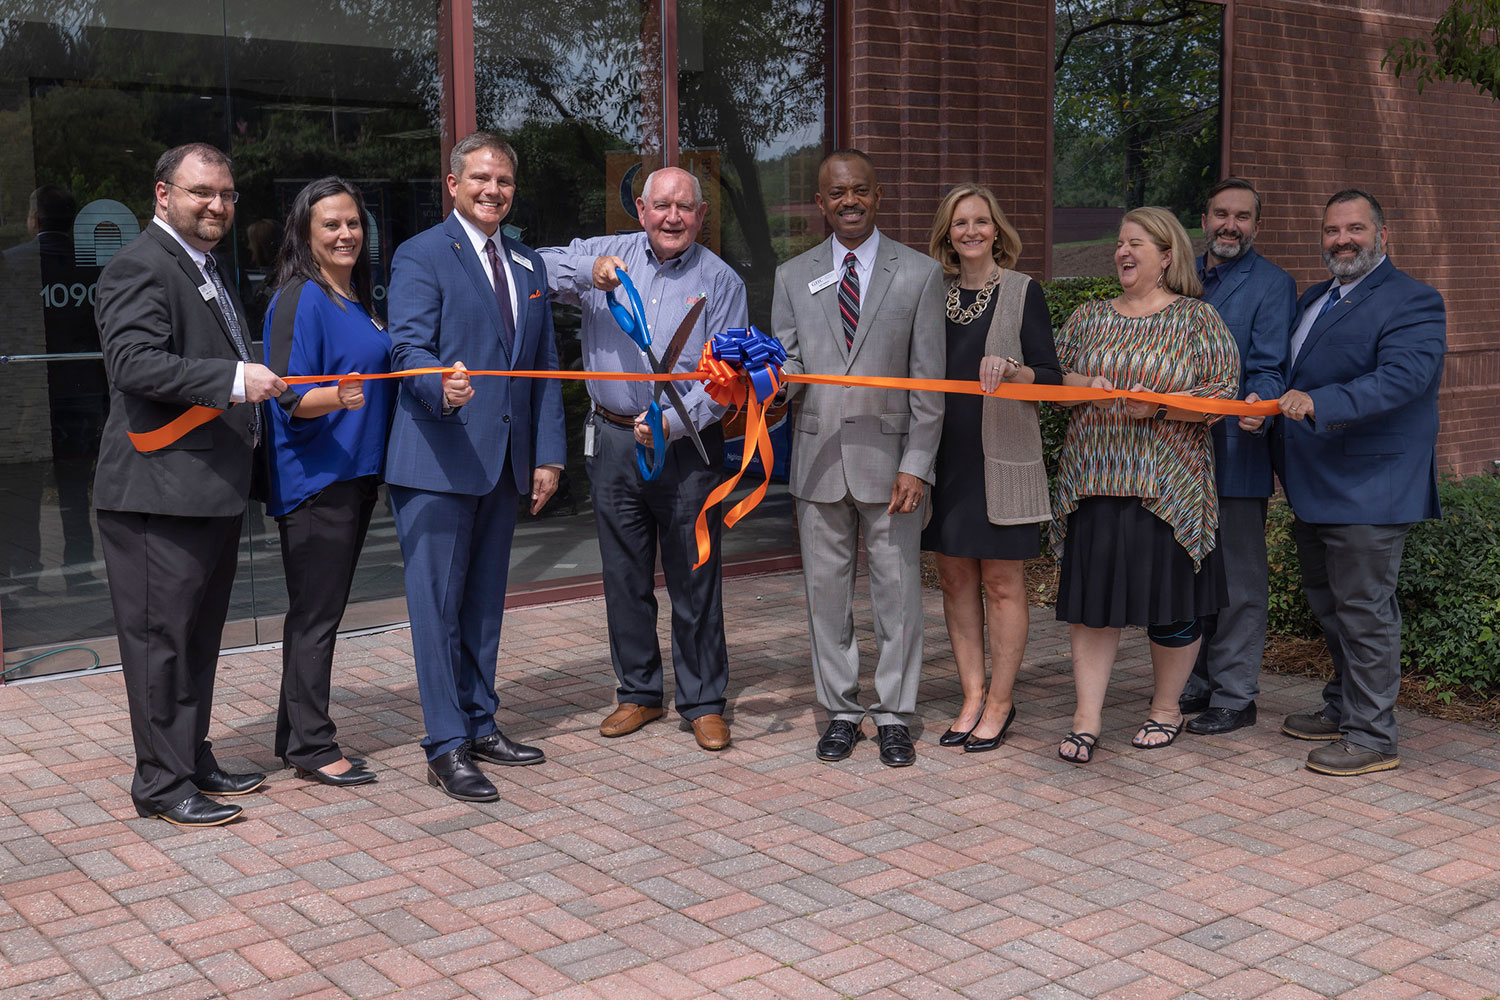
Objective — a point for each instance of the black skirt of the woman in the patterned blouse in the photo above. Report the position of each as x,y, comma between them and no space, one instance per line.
1121,566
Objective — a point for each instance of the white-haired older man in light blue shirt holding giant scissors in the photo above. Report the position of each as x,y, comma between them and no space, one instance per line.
635,516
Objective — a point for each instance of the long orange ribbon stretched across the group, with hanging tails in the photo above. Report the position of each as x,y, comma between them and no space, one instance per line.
731,389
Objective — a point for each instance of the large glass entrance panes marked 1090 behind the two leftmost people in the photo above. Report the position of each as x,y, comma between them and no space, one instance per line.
91,95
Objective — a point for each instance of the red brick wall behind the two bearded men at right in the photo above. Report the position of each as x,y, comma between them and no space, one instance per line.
1312,112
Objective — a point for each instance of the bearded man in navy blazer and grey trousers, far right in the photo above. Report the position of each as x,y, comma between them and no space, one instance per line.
1357,455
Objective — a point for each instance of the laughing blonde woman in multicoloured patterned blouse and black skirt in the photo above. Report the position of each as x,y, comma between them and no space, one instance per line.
1136,515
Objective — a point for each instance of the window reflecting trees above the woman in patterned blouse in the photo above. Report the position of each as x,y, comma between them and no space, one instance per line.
1136,121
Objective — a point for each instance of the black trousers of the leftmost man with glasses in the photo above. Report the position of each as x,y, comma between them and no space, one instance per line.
170,581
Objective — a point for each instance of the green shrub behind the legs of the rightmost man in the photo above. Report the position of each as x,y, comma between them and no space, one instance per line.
1448,590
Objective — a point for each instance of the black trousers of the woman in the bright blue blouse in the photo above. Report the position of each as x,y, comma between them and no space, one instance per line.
322,542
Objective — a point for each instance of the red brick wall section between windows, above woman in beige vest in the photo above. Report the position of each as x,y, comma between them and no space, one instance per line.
952,92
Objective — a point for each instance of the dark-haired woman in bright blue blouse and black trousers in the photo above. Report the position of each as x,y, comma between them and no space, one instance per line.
329,448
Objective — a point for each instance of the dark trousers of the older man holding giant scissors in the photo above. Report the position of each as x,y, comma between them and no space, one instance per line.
634,519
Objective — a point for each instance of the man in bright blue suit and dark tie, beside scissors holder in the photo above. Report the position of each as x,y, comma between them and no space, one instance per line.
461,457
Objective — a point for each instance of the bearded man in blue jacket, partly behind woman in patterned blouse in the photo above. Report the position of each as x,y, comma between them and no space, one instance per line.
1255,298
